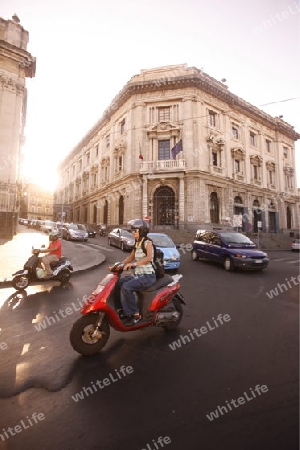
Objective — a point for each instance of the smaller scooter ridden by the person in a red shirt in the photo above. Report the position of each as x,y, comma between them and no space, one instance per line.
33,271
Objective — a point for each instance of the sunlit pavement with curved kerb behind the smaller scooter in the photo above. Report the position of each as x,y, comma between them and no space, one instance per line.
14,253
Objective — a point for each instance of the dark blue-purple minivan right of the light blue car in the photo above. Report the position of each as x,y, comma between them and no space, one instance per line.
231,249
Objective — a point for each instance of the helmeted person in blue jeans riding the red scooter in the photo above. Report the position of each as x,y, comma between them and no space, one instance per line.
144,274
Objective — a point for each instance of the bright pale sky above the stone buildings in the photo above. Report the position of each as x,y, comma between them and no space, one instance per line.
88,50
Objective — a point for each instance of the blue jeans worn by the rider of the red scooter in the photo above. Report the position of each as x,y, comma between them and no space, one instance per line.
129,285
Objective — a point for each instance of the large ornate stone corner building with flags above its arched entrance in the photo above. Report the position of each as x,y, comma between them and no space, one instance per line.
176,146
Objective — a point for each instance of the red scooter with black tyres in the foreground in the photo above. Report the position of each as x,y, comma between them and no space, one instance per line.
159,305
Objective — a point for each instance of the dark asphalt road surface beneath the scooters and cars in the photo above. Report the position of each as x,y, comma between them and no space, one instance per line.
167,393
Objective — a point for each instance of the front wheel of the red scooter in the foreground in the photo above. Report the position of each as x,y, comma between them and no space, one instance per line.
84,337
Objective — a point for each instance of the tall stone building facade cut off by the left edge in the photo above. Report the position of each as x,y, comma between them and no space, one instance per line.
15,65
